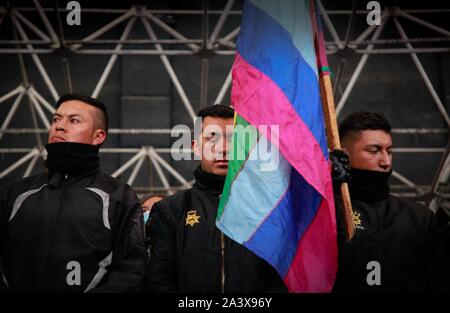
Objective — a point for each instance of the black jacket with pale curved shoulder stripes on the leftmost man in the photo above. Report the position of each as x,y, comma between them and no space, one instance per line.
71,234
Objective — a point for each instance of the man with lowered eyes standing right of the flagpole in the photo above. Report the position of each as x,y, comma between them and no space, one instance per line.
392,248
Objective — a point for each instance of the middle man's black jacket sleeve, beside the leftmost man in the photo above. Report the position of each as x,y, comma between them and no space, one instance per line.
161,272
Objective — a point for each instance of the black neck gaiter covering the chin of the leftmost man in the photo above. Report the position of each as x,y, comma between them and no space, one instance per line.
74,159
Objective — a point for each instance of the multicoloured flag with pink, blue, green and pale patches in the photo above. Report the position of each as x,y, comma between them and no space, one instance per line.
278,198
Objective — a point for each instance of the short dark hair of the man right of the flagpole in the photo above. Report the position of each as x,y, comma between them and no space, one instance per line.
359,121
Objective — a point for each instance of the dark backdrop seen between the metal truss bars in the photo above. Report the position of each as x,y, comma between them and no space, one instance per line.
139,93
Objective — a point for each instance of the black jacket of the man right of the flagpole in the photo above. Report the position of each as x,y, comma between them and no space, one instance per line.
396,233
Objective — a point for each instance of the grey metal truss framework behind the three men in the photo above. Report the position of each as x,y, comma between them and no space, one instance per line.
212,44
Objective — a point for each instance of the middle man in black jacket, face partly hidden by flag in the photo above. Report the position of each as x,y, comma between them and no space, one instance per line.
188,251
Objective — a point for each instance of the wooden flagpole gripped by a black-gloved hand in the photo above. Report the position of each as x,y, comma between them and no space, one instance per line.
326,93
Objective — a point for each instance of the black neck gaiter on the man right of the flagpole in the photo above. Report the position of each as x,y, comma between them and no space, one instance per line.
369,186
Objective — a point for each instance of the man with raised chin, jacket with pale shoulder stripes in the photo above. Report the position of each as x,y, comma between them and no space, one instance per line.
72,229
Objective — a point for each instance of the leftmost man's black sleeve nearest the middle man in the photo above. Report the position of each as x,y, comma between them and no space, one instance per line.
127,270
